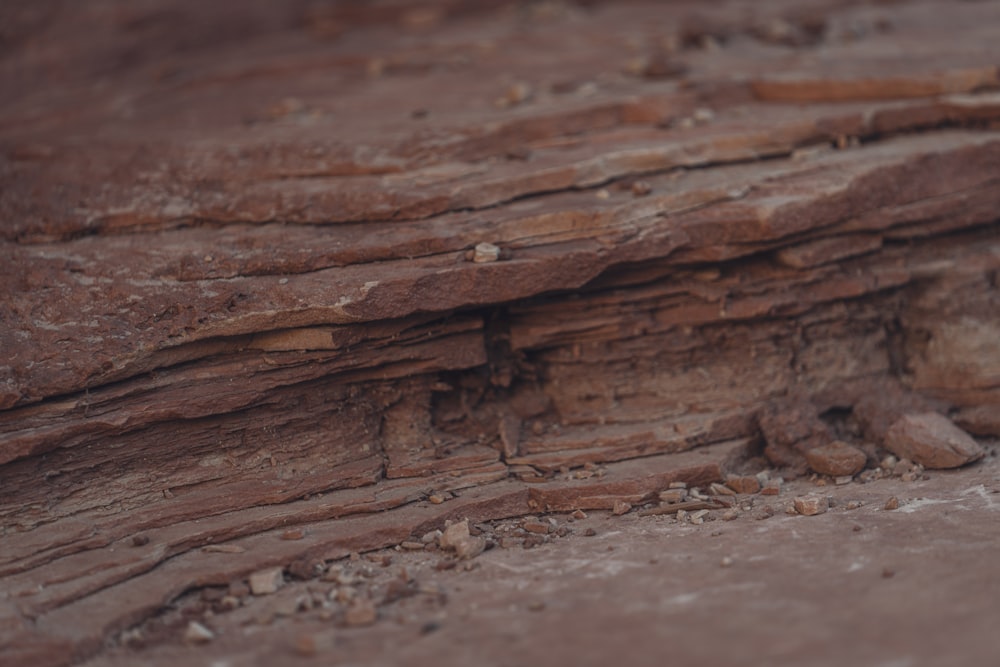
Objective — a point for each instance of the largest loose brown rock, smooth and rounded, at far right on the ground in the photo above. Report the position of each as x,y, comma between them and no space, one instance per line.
932,440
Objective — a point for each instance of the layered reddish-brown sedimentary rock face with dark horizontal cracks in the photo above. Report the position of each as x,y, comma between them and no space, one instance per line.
280,264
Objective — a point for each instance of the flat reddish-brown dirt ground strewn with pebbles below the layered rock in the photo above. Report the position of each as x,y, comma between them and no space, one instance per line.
859,584
